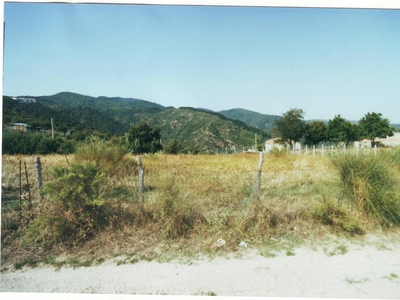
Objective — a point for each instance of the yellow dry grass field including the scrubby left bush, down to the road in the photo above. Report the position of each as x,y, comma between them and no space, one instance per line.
193,205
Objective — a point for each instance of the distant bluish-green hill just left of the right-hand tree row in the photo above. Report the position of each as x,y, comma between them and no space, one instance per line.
251,118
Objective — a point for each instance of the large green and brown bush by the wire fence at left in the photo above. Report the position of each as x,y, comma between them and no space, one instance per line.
84,197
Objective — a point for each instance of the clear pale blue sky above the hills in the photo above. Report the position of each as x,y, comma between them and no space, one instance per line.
265,59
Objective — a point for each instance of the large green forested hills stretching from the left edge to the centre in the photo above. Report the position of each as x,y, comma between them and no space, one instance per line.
87,114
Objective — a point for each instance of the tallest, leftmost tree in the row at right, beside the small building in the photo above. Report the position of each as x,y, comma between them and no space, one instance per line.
290,128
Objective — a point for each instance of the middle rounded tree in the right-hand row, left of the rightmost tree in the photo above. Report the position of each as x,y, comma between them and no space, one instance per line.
341,130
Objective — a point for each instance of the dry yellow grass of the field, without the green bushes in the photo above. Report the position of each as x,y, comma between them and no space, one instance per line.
194,201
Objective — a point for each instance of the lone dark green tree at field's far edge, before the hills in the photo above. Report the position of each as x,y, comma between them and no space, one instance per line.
144,139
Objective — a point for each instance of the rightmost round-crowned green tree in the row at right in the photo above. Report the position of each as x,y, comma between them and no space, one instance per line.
373,126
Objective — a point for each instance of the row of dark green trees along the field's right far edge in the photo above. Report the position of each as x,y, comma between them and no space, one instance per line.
292,128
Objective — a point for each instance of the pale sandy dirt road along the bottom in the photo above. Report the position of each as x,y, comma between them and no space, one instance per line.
367,270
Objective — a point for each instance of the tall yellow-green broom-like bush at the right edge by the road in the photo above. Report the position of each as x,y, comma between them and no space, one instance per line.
371,184
